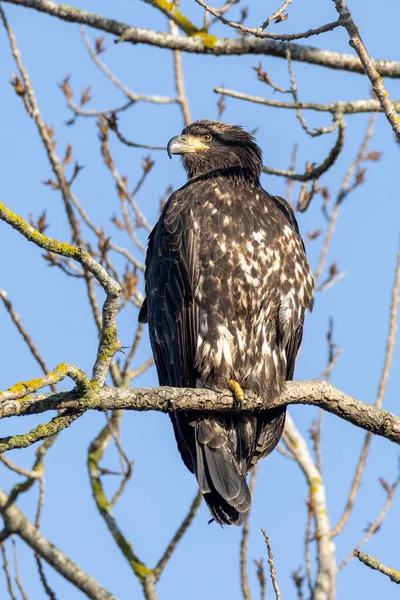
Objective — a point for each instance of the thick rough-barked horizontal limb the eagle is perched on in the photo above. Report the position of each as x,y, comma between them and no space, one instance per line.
165,399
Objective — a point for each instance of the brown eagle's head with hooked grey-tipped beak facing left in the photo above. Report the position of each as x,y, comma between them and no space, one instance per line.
209,146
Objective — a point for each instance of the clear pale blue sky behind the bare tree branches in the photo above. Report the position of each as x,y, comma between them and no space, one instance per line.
54,308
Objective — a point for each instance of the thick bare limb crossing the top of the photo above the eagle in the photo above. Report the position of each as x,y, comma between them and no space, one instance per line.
203,43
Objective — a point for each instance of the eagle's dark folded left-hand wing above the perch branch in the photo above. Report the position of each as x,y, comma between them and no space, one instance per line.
171,276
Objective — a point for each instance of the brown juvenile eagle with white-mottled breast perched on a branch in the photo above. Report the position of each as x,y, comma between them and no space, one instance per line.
227,285
